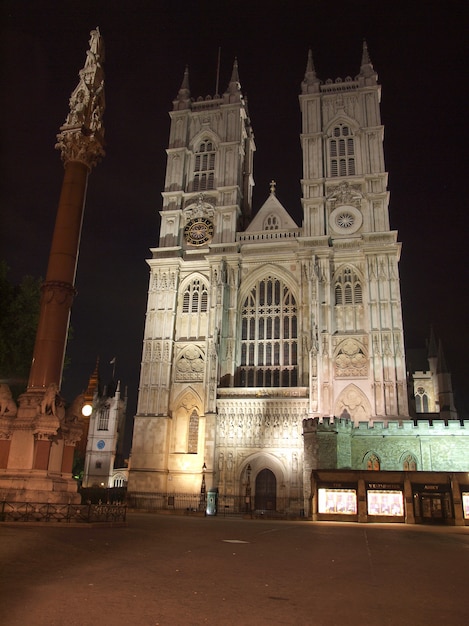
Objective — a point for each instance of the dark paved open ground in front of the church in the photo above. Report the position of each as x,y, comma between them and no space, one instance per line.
176,570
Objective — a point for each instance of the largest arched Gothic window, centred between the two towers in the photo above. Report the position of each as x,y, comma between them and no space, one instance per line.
269,336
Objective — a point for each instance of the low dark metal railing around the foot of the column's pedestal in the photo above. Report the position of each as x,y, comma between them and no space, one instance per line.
62,513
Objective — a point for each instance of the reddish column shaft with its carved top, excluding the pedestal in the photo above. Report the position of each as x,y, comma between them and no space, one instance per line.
80,141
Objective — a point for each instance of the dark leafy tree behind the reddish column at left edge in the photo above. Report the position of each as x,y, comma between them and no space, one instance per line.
19,315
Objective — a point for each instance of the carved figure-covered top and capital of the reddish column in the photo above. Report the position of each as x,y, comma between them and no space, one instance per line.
82,136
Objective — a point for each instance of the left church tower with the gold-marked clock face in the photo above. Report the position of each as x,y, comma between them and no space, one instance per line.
206,201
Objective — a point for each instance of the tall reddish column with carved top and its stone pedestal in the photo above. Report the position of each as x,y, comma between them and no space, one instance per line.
31,471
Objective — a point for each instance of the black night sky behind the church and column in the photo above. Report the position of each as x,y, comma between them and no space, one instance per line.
418,48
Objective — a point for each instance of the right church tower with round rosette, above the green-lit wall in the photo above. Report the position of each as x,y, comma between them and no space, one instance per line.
356,313
